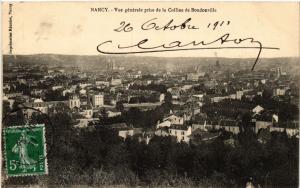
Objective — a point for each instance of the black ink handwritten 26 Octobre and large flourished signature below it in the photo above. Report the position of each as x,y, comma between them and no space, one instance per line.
225,41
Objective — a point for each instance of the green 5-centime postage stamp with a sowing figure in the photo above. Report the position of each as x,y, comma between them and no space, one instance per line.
25,150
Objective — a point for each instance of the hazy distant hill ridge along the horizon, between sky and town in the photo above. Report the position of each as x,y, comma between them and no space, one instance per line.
164,62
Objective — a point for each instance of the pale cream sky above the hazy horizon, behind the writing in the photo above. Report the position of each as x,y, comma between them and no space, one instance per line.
72,28
